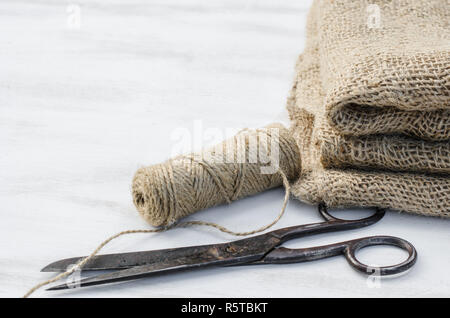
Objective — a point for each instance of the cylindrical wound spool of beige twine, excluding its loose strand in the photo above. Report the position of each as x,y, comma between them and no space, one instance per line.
243,165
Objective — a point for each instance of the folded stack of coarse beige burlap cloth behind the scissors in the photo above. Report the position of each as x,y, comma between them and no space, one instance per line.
370,105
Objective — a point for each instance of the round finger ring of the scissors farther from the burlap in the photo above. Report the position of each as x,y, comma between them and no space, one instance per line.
355,245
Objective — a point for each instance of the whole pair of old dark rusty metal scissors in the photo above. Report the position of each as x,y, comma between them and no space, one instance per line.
261,249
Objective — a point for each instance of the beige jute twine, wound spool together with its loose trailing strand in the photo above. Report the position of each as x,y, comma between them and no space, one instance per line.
167,192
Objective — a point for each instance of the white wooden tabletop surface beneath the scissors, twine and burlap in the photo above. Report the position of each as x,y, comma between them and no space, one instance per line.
92,90
